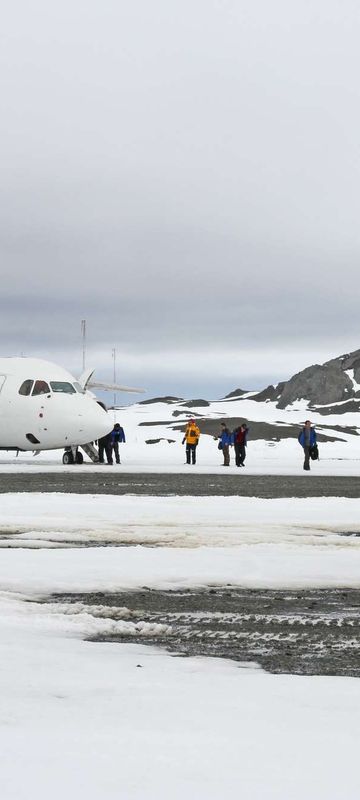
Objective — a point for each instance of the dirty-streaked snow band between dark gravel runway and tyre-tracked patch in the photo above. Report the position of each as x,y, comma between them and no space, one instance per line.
173,542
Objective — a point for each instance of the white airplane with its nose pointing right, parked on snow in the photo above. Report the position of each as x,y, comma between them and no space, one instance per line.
43,407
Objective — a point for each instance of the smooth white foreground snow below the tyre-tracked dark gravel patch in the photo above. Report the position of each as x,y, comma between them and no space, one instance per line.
107,721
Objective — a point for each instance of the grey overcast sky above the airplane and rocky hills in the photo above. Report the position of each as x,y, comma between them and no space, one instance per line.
184,174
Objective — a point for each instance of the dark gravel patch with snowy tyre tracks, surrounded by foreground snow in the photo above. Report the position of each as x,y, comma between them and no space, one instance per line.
307,632
